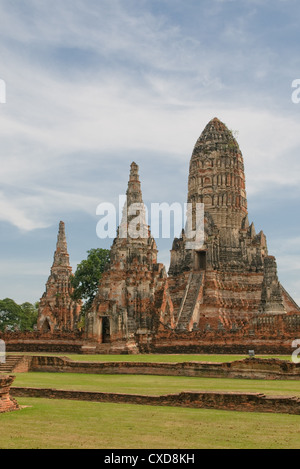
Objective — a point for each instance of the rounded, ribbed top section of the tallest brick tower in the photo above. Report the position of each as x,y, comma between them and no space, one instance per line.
217,176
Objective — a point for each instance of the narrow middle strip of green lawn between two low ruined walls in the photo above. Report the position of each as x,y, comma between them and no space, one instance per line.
153,385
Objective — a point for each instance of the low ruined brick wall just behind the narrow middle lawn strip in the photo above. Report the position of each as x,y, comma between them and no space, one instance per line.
249,368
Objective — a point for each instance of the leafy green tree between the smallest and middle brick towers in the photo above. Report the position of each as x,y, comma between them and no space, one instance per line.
87,276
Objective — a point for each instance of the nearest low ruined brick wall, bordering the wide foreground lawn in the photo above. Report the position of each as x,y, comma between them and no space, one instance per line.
243,402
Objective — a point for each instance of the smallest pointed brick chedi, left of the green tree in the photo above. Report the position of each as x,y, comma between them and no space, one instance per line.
58,312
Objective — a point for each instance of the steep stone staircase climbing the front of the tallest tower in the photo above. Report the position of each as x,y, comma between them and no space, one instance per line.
189,300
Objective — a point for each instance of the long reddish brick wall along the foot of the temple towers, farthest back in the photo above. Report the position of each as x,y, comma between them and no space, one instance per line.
164,342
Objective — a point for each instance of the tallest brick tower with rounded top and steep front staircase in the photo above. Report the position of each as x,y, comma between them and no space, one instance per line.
231,275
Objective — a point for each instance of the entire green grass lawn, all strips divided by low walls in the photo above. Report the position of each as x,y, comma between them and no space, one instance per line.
61,424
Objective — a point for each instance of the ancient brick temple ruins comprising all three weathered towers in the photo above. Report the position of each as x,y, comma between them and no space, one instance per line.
222,293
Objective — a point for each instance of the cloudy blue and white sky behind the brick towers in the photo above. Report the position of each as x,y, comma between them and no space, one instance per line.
92,85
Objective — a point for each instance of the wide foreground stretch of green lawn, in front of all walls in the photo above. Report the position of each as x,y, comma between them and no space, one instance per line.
48,424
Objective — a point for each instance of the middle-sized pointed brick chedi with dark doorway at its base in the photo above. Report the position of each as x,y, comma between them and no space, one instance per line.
132,295
